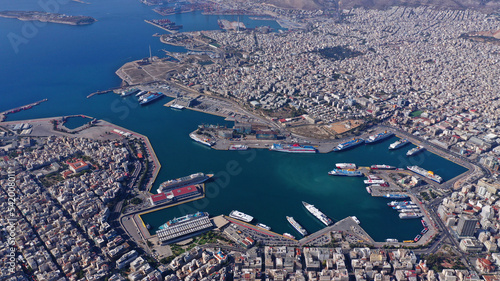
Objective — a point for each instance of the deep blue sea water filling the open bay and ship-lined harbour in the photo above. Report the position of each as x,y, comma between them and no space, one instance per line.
66,63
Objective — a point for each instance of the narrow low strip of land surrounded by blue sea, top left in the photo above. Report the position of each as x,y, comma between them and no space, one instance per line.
47,17
